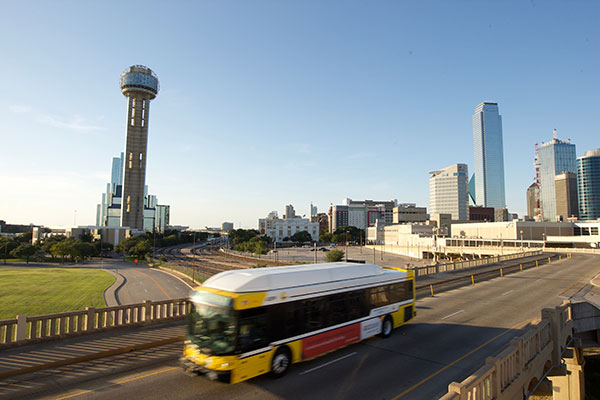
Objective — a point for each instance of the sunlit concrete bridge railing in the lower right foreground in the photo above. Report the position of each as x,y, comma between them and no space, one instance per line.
516,371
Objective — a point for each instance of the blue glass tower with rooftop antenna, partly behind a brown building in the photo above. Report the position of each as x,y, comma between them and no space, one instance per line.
555,157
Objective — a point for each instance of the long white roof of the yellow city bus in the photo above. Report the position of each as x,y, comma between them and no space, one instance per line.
274,278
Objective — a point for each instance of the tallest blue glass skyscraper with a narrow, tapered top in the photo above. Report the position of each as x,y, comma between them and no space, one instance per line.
488,154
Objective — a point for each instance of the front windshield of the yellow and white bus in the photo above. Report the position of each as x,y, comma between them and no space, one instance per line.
212,328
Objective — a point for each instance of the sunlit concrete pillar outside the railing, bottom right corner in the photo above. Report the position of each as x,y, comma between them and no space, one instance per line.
570,385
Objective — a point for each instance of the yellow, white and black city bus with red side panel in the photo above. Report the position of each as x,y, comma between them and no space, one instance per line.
247,322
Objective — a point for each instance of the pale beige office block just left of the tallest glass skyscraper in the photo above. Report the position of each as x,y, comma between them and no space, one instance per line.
449,192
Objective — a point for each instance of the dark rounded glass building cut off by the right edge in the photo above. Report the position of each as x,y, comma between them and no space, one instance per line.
588,185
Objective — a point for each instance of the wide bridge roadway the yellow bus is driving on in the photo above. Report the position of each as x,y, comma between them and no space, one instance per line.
449,339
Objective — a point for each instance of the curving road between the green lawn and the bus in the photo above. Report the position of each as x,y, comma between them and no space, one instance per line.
136,283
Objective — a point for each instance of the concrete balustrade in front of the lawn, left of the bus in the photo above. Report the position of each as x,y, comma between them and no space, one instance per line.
25,330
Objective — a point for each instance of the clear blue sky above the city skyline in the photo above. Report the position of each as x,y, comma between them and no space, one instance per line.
268,103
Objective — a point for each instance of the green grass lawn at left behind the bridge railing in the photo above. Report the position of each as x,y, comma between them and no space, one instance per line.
39,291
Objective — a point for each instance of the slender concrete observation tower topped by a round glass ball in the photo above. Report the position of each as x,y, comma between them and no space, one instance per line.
140,85
